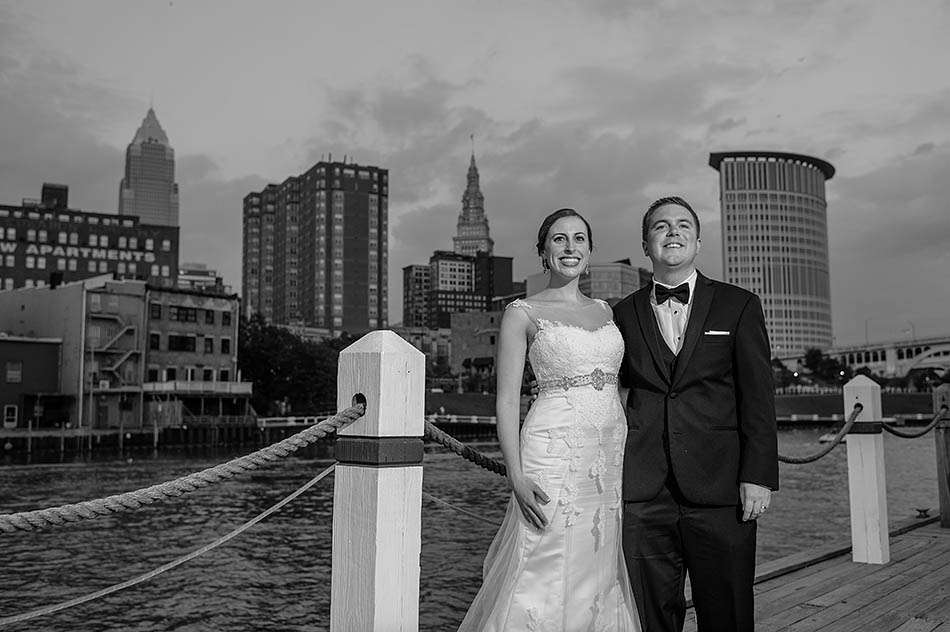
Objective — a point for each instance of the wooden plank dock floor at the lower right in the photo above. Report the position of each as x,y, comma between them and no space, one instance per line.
825,590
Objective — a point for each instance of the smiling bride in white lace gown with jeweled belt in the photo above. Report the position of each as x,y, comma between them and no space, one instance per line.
556,563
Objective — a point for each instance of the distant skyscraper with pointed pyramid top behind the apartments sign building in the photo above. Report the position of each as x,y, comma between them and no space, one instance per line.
148,189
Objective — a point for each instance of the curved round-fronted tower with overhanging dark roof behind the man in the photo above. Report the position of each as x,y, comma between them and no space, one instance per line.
775,241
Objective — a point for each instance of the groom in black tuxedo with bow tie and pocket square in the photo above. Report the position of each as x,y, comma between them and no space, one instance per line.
701,456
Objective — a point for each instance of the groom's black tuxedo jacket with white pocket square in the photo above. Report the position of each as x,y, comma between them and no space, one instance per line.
712,419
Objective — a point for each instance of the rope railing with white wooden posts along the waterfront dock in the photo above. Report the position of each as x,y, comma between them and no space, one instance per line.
378,484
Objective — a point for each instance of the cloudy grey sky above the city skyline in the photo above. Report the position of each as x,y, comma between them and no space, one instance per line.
602,105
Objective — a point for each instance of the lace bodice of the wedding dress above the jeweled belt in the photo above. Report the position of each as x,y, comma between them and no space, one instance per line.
560,349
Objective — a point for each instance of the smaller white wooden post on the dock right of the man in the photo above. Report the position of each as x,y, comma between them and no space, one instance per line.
867,485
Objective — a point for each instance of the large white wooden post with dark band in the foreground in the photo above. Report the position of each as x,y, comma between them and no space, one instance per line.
377,494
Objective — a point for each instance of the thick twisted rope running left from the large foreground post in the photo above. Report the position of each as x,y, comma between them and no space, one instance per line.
90,509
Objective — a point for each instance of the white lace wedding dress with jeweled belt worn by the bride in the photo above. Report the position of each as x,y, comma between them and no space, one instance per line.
571,576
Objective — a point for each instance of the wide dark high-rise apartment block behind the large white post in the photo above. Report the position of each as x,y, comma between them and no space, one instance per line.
316,249
